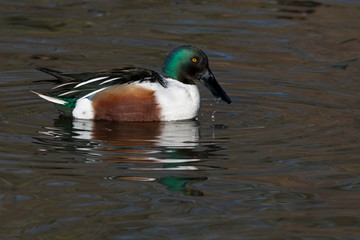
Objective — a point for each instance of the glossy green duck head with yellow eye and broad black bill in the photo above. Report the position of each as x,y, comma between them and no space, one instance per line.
187,64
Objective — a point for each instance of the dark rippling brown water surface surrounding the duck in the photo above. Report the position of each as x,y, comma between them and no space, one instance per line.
282,161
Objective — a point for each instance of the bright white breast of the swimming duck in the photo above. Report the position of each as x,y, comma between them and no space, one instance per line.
178,101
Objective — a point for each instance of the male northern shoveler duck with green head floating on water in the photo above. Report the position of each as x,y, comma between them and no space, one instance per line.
137,94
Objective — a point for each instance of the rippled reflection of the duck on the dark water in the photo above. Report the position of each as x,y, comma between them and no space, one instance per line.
169,147
